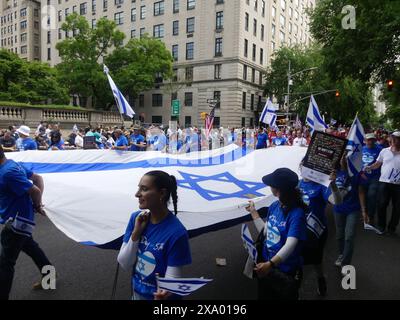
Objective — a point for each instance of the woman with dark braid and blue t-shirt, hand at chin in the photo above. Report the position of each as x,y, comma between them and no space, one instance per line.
155,241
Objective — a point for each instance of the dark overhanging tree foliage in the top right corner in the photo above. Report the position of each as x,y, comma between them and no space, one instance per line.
370,51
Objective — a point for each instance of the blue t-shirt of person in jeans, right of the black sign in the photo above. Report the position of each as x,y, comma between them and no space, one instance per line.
351,202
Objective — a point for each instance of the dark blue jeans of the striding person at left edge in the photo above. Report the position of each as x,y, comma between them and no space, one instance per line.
11,246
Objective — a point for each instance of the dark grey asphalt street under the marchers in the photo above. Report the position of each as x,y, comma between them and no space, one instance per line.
87,273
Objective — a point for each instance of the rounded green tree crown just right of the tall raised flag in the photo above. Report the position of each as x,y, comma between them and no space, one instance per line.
139,65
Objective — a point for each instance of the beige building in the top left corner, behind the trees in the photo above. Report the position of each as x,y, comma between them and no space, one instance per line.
20,29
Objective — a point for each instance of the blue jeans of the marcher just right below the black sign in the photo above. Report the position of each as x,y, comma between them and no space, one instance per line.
346,224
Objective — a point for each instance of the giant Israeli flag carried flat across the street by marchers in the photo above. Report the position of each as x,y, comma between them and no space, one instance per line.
90,194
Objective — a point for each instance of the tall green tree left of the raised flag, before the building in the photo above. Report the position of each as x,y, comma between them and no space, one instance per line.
80,69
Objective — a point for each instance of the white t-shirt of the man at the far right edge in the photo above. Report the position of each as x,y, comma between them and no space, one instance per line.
390,171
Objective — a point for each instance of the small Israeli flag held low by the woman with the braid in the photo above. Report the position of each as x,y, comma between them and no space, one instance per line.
181,286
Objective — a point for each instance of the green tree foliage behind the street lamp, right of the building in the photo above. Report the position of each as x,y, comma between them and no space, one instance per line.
354,96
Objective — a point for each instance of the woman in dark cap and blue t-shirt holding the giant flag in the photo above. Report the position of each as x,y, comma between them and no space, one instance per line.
280,272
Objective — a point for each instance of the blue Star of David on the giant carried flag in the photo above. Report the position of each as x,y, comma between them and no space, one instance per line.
247,189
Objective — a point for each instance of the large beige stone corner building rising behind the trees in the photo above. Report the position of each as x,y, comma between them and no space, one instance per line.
220,49
